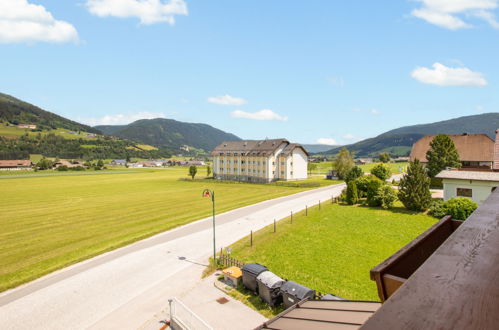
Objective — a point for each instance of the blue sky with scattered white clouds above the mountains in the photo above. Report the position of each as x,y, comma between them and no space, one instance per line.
329,71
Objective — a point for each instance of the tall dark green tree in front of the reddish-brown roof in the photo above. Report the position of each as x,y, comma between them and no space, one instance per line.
442,154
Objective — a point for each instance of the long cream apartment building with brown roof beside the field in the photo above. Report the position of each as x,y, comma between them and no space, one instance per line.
260,161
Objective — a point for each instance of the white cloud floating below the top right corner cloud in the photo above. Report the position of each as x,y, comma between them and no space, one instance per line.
442,75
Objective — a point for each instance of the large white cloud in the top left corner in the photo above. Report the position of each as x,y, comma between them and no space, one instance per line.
21,21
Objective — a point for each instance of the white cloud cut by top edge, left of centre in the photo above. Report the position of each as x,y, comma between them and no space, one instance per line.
148,11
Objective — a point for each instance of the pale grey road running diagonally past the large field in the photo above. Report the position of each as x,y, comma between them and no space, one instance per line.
127,287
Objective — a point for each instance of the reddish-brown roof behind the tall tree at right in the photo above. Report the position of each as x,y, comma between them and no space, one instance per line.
471,147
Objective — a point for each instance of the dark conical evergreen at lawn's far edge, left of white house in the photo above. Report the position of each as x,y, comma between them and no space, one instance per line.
414,188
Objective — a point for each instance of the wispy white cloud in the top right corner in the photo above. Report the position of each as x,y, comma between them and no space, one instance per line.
445,13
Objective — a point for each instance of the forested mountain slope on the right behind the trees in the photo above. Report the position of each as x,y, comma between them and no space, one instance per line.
398,142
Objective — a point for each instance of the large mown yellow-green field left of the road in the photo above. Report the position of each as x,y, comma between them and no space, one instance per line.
53,221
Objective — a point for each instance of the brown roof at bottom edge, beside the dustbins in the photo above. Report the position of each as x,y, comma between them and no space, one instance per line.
324,314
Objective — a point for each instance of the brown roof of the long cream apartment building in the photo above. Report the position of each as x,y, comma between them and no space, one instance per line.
249,146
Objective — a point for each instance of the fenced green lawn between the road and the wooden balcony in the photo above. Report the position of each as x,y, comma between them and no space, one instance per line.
333,250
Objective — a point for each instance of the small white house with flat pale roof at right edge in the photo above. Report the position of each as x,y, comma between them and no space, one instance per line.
476,185
